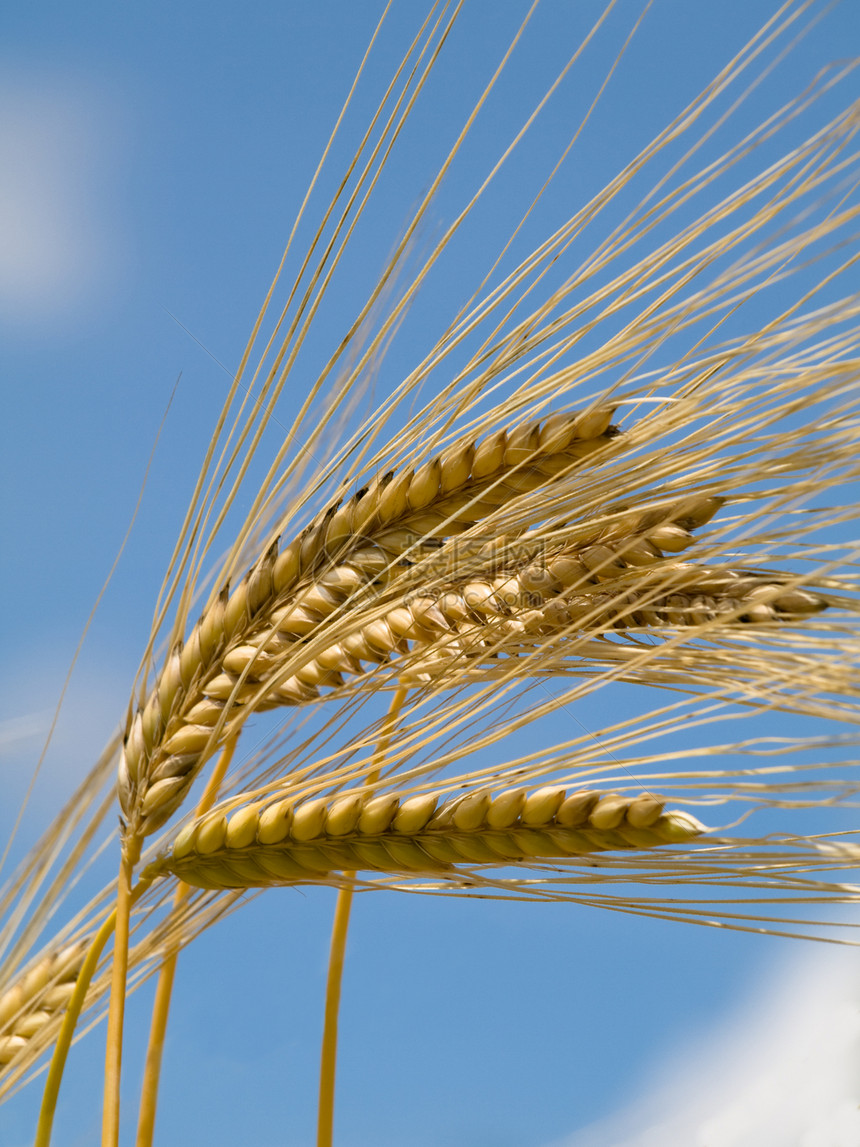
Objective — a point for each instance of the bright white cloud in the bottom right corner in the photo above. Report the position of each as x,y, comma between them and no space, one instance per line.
783,1073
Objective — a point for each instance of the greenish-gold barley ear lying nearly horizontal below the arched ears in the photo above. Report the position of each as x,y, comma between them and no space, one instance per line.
285,842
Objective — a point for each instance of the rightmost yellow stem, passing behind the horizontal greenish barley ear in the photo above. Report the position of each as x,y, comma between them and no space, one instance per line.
340,930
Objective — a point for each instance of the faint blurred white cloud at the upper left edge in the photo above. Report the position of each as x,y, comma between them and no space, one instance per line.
56,228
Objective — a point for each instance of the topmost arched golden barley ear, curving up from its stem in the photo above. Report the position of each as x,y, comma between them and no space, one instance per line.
291,590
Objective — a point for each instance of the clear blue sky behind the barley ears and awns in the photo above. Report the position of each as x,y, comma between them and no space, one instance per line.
154,160
